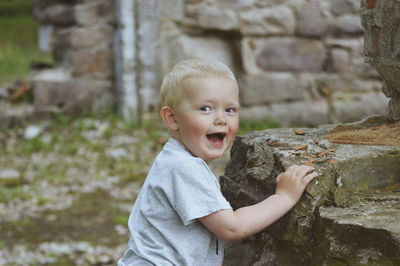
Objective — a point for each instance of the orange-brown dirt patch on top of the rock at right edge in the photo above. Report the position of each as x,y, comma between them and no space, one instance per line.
387,134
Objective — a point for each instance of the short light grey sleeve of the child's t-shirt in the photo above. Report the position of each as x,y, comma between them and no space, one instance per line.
195,192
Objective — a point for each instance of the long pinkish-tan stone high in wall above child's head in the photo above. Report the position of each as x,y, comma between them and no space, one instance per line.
211,18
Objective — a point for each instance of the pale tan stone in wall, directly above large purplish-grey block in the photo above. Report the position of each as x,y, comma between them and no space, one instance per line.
269,21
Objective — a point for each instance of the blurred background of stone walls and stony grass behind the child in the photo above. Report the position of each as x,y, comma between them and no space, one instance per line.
79,85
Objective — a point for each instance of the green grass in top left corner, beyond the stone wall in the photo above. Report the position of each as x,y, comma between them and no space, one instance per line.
19,40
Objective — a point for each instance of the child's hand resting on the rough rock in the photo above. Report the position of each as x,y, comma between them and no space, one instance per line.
293,181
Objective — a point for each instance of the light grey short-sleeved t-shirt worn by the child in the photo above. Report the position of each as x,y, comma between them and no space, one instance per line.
164,225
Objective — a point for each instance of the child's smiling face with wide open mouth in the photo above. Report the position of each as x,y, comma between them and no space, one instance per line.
207,116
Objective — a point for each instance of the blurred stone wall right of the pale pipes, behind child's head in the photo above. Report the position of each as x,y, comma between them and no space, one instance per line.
300,62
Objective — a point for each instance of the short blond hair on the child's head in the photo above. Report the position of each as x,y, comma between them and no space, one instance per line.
171,88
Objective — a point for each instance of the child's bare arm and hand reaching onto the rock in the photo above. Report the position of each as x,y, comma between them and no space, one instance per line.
235,225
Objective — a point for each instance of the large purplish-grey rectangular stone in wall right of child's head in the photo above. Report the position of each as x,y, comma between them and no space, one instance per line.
286,54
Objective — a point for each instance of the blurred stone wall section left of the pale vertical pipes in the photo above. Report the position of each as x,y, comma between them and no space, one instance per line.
79,33
